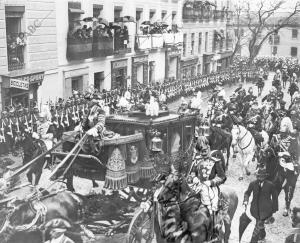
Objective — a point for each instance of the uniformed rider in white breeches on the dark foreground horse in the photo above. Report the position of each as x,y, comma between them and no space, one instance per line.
211,175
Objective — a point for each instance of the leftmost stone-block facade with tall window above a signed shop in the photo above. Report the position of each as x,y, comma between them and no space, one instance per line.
28,49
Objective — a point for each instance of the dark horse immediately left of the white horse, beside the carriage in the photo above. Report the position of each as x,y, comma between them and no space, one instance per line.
220,139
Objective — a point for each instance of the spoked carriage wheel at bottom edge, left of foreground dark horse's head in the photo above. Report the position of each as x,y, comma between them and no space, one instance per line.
140,229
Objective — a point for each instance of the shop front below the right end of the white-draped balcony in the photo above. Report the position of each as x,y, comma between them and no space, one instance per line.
173,62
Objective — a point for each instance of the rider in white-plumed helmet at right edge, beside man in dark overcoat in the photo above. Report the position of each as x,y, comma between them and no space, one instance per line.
286,147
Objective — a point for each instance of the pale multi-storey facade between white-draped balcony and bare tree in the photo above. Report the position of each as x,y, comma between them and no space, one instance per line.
207,38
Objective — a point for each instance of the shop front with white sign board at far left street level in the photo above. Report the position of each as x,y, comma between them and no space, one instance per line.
21,89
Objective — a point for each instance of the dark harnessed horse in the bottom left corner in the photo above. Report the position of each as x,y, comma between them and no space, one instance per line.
64,205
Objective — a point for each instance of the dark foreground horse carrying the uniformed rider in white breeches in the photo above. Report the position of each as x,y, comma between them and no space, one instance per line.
195,221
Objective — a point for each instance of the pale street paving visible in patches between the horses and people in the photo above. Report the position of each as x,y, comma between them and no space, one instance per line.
275,233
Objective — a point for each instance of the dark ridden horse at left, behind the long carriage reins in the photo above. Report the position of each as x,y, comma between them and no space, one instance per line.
31,149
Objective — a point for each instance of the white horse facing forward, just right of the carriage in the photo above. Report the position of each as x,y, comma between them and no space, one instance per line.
244,147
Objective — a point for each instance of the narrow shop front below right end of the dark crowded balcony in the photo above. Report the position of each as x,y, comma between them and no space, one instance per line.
119,74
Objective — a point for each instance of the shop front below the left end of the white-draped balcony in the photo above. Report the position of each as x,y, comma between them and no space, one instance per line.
139,70
